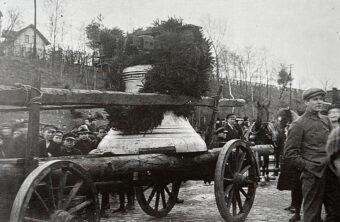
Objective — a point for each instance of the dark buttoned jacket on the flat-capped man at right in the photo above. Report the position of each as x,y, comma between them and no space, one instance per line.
306,140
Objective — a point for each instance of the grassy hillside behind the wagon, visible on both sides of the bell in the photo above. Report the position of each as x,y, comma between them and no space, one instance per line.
20,70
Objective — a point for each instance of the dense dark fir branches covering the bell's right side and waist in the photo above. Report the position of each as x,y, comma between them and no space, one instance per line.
181,66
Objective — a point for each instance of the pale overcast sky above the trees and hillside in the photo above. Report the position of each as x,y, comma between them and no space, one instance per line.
304,33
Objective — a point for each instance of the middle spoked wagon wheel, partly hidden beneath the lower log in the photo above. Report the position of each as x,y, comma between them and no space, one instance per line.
158,196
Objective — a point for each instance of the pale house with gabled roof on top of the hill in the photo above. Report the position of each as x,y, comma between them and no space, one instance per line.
20,43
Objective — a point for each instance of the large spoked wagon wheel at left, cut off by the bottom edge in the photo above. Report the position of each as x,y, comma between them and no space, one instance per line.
56,191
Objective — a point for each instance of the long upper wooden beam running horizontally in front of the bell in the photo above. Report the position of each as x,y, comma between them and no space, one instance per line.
18,97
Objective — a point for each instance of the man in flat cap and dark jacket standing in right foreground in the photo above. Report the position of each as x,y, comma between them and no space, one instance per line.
305,147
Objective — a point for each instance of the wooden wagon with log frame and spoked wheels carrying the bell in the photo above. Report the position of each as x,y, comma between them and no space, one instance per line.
66,188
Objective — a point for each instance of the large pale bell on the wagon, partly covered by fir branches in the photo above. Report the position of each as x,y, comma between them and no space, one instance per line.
174,135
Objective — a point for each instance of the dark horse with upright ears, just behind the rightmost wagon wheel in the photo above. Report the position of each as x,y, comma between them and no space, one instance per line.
263,132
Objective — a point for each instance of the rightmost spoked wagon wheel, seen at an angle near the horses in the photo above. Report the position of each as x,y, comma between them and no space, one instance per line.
235,181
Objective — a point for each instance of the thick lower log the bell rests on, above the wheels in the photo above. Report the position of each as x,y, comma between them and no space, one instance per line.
123,165
